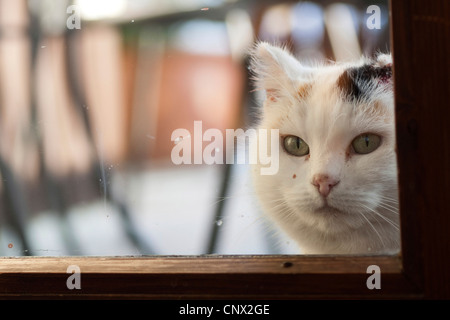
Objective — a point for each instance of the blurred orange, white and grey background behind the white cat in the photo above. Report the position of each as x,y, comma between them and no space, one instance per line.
90,92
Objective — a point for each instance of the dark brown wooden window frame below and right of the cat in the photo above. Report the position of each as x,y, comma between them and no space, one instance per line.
420,31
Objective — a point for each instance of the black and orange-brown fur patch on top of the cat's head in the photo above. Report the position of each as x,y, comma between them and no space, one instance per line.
358,83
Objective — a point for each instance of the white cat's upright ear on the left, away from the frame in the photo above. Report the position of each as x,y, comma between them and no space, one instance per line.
274,70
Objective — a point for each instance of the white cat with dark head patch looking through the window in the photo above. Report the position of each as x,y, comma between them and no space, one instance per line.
336,188
